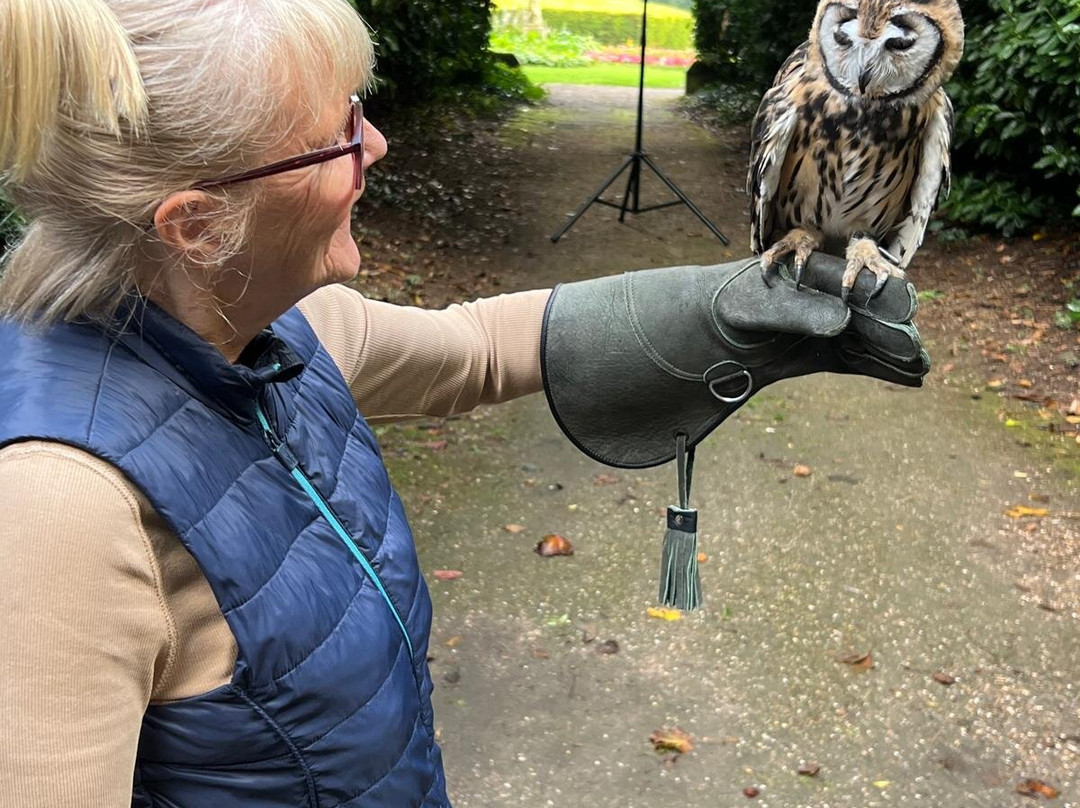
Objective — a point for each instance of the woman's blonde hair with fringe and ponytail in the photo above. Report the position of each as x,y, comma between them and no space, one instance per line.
109,106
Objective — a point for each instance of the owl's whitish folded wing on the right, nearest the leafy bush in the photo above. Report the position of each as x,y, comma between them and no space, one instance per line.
935,173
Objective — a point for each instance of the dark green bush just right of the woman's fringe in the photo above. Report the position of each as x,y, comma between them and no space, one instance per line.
425,46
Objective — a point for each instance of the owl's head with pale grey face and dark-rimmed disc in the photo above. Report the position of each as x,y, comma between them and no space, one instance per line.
887,51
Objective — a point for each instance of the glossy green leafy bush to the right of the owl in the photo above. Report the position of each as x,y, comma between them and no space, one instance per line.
1017,151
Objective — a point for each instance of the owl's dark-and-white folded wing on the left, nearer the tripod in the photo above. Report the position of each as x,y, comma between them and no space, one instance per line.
771,137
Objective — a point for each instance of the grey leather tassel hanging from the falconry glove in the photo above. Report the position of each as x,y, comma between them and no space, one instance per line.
680,580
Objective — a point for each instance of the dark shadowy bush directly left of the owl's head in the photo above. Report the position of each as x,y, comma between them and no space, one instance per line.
749,41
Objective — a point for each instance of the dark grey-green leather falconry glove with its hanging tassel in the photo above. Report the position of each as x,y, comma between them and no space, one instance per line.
641,368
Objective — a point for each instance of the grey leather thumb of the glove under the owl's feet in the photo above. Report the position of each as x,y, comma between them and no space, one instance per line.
747,304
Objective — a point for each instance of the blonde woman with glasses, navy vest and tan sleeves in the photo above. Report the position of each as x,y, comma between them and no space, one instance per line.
210,591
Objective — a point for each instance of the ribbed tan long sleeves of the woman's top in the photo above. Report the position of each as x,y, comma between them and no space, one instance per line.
103,611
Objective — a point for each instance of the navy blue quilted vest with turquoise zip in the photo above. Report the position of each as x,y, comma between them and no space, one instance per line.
275,483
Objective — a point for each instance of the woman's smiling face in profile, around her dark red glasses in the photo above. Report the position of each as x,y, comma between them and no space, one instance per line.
302,237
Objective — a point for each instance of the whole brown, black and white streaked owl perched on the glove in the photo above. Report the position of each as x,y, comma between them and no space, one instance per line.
852,145
